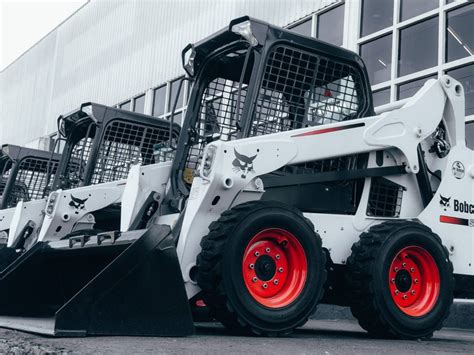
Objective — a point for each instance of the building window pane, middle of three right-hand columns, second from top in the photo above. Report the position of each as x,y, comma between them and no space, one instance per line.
418,47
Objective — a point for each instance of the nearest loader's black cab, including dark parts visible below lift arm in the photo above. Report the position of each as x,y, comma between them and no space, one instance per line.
254,79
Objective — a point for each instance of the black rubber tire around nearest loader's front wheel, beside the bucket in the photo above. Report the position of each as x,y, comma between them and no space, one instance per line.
220,271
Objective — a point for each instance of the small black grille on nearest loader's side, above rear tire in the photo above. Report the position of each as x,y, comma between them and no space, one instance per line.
385,198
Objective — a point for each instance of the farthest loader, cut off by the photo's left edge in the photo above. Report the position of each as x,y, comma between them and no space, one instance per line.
26,175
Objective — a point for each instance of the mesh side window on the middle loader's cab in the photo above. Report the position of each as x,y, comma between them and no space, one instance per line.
123,145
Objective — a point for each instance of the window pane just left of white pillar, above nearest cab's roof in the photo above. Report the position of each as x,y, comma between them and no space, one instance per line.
331,26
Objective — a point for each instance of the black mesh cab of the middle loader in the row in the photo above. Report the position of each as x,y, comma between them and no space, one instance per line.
104,142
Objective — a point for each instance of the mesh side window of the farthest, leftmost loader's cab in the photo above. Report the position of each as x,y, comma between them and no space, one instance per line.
32,180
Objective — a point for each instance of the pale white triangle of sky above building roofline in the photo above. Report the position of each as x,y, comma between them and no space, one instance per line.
25,22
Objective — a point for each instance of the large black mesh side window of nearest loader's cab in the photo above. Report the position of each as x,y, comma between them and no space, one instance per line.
301,89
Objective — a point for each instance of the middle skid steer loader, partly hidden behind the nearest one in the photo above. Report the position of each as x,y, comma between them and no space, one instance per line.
101,145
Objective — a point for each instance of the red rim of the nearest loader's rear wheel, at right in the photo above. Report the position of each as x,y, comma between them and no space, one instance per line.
414,281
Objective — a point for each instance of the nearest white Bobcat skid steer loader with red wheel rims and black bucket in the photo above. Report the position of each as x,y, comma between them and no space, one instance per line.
286,189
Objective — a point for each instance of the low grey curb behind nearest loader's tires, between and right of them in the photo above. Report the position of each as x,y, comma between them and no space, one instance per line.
461,314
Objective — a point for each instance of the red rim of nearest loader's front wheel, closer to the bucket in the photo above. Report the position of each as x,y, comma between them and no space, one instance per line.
274,267
